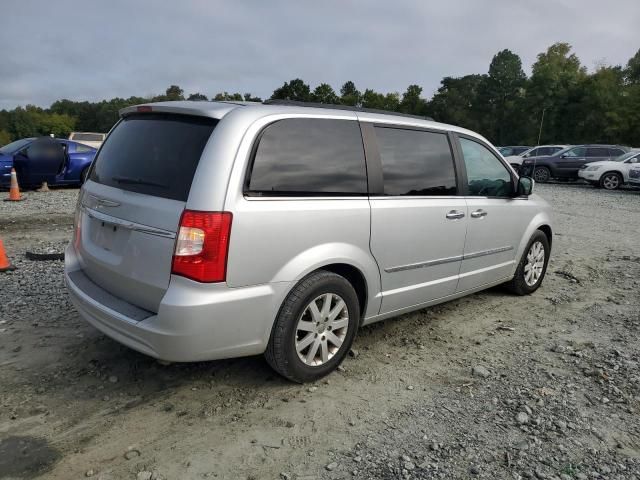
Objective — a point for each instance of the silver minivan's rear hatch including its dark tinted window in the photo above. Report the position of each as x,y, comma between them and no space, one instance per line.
130,208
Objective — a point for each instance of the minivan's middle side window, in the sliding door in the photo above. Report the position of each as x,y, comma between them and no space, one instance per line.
416,162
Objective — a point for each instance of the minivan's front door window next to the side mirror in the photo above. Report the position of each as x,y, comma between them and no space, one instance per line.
486,175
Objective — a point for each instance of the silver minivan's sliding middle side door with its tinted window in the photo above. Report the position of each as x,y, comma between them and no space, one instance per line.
418,223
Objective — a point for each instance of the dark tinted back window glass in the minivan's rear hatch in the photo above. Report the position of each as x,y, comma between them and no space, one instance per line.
153,153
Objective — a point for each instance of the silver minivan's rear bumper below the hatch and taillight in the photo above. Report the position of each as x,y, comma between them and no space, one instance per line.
194,321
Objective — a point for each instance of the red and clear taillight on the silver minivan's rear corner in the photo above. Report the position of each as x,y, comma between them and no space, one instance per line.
202,246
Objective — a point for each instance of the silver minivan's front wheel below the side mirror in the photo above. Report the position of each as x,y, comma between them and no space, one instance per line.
532,266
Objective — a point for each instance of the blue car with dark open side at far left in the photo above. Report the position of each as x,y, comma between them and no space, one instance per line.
53,160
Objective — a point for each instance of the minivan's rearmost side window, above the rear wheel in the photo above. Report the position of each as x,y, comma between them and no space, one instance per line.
310,156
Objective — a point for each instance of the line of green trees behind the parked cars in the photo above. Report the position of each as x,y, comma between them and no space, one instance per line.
504,104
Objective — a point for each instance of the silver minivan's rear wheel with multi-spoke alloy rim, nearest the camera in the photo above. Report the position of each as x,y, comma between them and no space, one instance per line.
315,327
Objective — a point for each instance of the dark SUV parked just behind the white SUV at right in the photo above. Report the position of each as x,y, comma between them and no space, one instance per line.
566,163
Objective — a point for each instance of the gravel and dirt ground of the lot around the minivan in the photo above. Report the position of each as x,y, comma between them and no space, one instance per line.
488,386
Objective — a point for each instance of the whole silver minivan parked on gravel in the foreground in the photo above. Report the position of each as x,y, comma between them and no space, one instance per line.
211,230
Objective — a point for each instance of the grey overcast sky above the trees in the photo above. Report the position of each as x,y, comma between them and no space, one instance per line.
91,50
